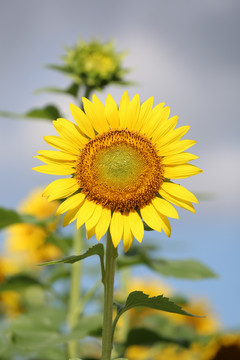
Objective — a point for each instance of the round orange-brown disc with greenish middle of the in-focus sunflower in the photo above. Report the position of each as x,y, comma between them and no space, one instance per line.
120,169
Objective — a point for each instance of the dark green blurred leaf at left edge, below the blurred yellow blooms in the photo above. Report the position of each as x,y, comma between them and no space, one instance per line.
19,282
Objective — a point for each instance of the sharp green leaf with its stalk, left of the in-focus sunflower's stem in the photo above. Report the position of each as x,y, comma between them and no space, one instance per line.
95,250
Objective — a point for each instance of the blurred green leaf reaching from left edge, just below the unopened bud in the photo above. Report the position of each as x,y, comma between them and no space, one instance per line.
49,112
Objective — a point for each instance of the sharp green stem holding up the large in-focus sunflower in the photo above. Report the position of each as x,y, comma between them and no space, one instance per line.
107,341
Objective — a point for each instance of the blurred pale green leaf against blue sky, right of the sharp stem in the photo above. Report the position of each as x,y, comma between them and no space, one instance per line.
188,269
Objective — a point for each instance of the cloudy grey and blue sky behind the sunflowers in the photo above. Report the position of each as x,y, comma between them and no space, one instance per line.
183,53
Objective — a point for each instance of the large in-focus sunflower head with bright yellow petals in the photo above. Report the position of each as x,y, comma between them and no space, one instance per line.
121,161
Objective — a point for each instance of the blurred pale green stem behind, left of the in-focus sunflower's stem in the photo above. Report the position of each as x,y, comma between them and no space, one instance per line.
74,296
